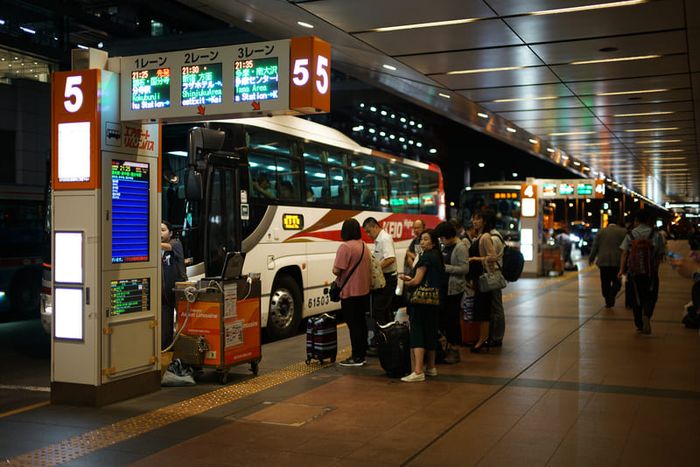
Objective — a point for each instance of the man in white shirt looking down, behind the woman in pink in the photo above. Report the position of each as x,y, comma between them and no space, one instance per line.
384,253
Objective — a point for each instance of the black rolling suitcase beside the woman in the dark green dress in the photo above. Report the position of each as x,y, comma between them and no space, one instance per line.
393,346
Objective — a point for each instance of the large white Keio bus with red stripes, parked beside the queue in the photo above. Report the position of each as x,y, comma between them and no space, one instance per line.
278,189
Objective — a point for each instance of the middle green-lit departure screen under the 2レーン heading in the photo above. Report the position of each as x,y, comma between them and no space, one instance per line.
202,84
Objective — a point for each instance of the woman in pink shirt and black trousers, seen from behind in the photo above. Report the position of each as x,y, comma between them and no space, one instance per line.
353,270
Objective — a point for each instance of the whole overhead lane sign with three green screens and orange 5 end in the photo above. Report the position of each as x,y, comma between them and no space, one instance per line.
285,77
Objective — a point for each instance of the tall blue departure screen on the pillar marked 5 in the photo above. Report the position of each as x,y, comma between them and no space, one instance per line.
130,188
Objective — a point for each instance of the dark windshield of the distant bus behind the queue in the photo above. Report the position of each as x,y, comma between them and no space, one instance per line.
505,203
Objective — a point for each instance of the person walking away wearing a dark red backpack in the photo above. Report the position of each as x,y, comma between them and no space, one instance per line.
642,252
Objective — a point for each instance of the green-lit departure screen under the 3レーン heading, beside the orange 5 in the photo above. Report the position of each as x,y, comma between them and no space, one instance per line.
256,79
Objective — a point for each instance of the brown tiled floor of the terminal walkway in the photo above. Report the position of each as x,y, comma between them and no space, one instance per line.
573,385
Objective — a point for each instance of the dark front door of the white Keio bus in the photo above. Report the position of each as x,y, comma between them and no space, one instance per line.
222,226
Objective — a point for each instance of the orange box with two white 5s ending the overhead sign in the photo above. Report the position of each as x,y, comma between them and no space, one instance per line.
310,77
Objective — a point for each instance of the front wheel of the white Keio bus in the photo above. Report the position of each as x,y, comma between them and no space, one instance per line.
285,308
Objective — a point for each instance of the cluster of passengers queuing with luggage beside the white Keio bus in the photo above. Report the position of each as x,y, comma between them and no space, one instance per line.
446,261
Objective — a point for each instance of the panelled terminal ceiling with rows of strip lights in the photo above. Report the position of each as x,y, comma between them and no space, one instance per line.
611,91
